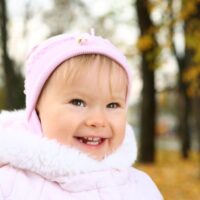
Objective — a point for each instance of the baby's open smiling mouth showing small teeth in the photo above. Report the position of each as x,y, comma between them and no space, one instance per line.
93,141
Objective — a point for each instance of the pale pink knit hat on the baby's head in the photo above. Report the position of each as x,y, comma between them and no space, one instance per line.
44,59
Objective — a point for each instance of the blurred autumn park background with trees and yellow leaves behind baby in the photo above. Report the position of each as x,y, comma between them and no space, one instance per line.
161,39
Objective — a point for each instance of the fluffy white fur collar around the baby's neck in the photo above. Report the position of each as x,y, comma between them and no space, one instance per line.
27,151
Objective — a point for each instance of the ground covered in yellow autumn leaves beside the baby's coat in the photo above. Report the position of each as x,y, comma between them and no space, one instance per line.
177,179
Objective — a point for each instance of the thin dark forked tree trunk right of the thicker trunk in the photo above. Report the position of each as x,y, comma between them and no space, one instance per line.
183,61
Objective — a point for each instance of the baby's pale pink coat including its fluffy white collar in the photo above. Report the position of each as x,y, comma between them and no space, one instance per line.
36,168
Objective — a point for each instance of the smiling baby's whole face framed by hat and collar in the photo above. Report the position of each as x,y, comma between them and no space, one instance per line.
88,110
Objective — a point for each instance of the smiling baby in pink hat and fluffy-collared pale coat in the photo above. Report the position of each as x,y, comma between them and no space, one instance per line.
72,141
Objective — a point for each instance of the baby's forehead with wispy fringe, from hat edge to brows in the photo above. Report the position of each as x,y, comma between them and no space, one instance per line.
98,69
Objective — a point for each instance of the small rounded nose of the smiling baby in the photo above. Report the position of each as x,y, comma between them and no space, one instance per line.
96,118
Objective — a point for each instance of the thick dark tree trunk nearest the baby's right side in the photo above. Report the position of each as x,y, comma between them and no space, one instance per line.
148,109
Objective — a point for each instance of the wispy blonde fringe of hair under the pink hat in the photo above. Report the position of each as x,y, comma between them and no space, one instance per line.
80,65
